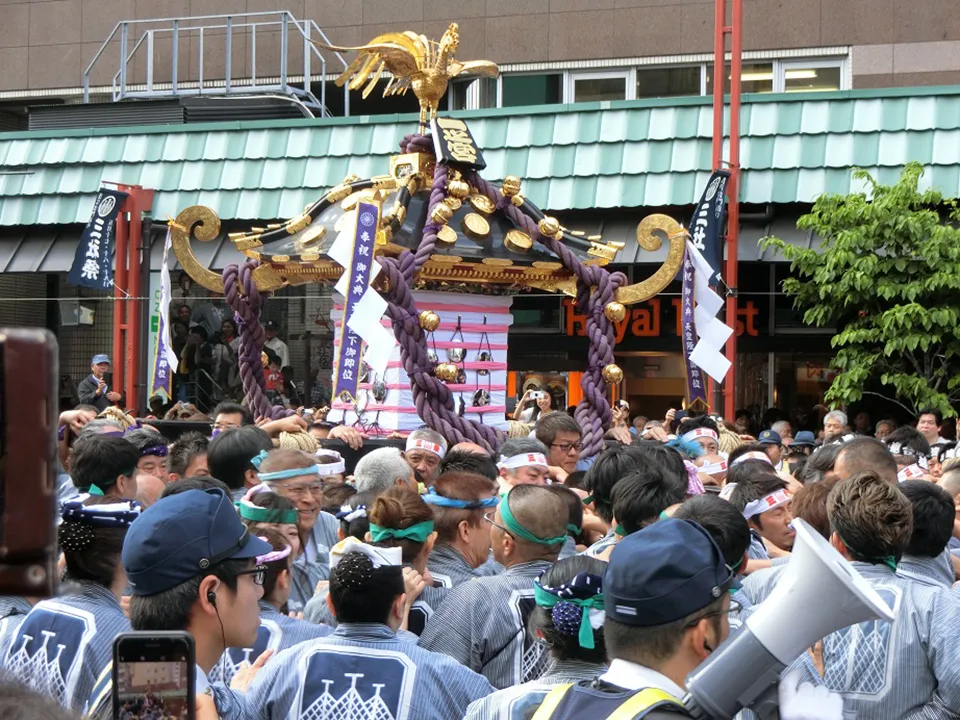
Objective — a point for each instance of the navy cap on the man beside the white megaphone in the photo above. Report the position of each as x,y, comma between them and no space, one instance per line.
663,573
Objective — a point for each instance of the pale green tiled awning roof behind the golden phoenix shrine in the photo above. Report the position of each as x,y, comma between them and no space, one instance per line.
598,155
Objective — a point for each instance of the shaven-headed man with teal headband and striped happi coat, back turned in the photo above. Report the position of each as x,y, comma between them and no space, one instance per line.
482,623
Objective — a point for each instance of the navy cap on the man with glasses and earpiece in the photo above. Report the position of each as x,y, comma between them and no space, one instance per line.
183,536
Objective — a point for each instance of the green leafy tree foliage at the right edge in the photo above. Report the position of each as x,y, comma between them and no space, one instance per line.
887,276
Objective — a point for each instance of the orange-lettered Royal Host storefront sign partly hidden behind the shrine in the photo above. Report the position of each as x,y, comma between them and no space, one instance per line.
658,317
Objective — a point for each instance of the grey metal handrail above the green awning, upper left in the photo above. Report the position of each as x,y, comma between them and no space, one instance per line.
196,26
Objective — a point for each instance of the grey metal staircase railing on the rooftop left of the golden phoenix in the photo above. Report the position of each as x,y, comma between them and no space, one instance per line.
298,88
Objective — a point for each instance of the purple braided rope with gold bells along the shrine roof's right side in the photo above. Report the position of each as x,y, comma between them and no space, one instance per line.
593,413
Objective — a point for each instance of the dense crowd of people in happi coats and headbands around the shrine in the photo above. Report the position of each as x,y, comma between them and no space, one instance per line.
323,574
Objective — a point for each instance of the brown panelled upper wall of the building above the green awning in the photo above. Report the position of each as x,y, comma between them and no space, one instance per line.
47,43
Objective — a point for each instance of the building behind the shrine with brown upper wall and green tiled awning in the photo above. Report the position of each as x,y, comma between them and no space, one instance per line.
603,107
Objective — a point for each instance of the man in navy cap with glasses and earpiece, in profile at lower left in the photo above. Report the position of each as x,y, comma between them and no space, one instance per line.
193,566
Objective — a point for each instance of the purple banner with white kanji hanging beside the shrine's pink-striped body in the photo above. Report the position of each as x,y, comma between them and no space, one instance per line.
350,351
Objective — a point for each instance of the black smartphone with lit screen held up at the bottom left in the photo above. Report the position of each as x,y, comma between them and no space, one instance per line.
154,676
